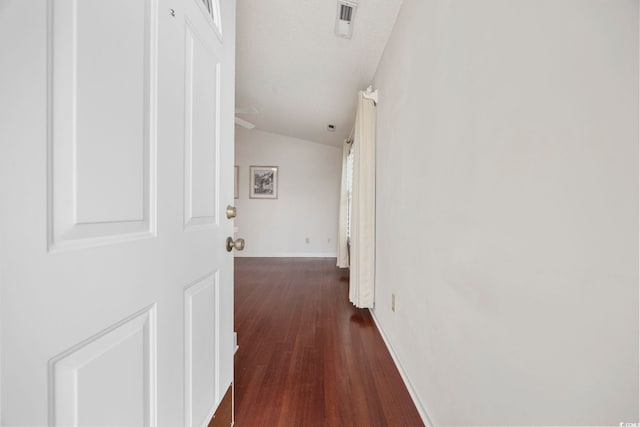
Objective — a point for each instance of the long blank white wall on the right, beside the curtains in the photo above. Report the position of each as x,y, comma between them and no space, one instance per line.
507,216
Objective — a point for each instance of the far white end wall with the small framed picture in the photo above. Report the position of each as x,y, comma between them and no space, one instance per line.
308,195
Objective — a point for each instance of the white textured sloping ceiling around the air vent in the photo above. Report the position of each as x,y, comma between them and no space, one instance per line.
299,75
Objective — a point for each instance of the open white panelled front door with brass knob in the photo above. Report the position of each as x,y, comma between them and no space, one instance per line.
116,165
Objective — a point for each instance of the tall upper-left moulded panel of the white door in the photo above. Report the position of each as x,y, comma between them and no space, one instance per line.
89,138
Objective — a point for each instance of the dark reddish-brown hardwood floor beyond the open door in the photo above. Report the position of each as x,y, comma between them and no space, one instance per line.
308,357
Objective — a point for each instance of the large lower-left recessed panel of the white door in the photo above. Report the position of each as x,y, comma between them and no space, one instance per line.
116,366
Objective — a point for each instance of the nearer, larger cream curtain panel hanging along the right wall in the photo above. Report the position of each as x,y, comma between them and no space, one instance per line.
362,254
